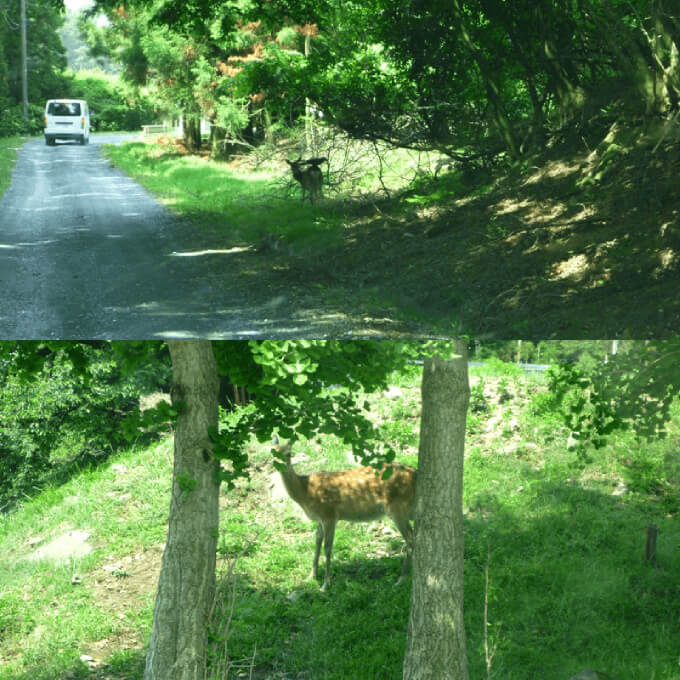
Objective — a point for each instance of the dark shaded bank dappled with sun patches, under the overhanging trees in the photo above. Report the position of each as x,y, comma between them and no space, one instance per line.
542,254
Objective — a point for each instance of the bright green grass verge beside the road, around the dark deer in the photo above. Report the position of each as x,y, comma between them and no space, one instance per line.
255,205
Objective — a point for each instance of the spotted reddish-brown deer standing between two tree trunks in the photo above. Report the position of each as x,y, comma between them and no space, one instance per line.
356,495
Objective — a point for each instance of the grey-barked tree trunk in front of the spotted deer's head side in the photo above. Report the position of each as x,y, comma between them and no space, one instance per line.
187,580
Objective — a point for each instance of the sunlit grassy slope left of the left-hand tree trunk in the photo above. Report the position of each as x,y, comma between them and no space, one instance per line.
47,620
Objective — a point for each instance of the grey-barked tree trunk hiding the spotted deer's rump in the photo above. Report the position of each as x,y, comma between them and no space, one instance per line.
435,646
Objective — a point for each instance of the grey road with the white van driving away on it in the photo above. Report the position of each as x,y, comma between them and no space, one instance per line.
85,252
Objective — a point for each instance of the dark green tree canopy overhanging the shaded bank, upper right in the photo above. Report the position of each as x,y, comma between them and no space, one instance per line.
476,78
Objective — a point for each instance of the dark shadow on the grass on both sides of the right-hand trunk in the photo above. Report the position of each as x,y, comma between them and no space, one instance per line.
568,590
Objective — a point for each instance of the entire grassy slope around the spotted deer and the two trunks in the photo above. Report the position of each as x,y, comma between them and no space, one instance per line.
568,587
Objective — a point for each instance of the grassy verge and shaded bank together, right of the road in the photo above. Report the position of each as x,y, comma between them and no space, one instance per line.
581,240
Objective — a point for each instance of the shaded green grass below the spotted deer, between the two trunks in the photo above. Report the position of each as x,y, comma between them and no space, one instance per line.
357,629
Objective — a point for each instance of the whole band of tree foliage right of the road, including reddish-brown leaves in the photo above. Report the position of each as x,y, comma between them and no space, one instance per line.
476,79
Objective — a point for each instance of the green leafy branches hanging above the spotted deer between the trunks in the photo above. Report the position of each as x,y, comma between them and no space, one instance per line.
302,388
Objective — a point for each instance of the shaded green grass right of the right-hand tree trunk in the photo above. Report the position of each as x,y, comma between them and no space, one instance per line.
569,589
